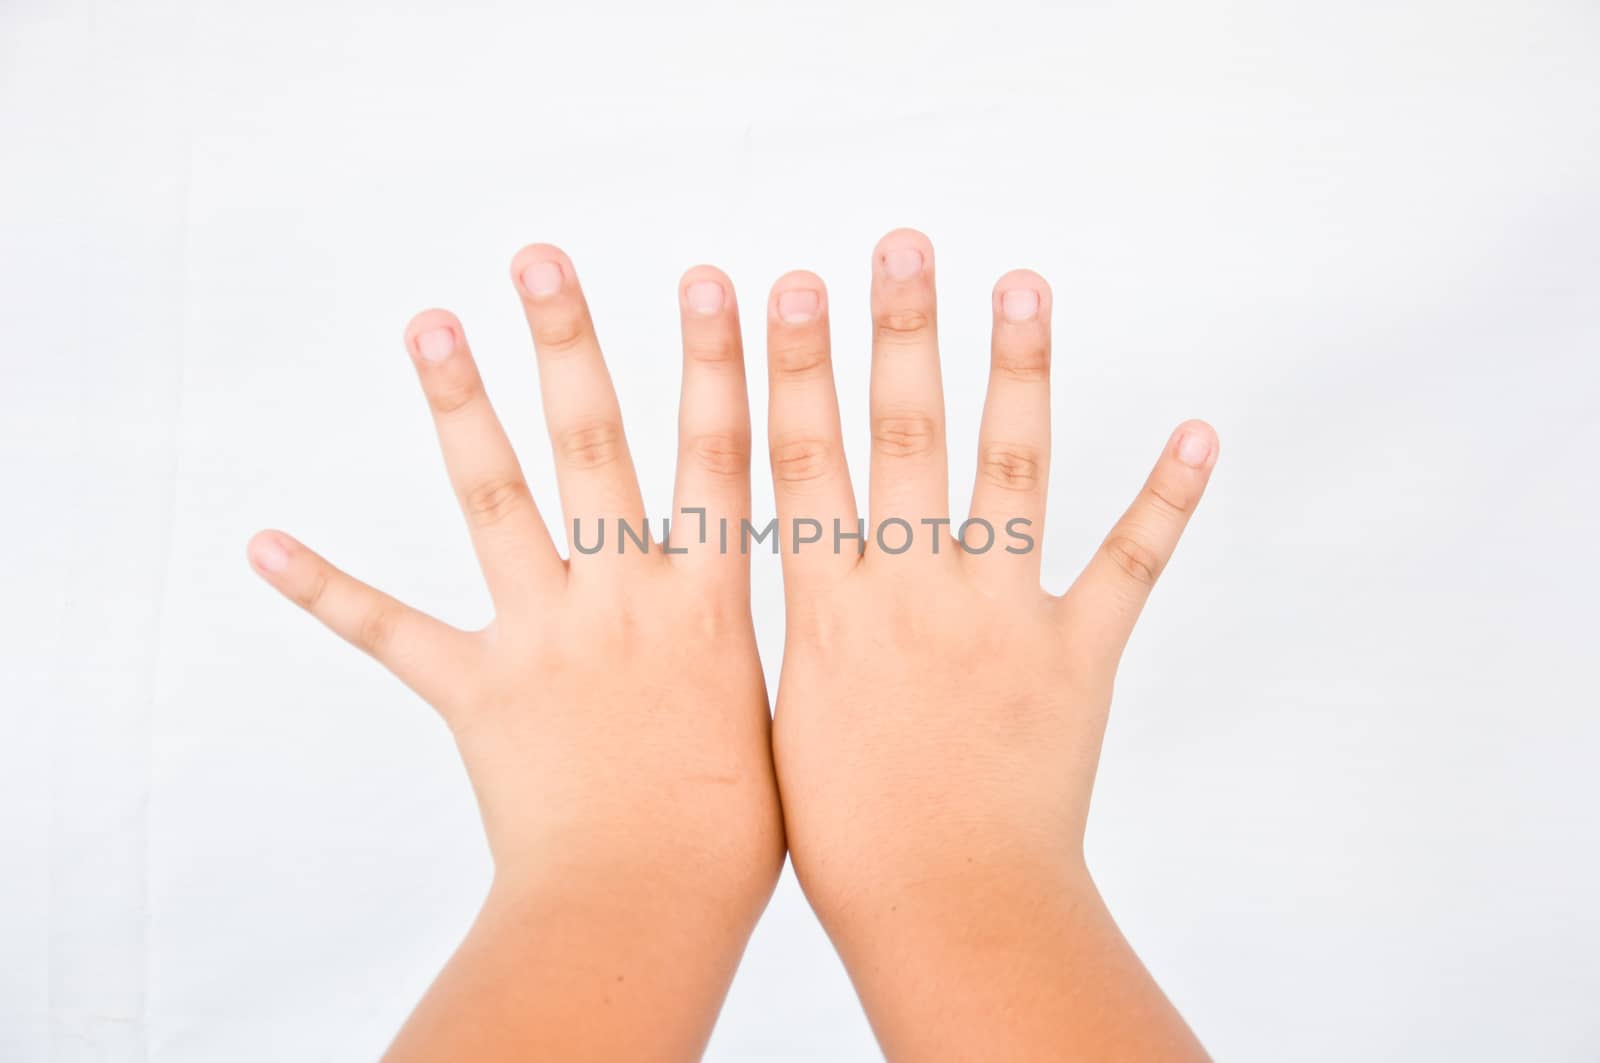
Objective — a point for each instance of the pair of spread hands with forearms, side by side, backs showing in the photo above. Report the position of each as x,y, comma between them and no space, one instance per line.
938,718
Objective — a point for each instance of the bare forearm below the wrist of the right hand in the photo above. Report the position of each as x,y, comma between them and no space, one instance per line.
1006,968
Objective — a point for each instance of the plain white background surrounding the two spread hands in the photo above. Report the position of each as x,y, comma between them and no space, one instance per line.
1348,806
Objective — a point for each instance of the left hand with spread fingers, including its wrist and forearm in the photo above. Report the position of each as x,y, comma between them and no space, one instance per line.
612,716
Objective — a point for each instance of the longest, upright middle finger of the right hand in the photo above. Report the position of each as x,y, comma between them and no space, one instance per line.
910,473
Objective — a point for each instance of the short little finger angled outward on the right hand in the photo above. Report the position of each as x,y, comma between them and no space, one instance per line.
1111,592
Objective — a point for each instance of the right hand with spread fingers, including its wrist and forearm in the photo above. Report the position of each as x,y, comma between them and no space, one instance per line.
938,715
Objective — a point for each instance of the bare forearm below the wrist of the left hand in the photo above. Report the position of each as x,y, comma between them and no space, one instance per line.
582,973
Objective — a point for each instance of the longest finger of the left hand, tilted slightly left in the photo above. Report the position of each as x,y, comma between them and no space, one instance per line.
593,465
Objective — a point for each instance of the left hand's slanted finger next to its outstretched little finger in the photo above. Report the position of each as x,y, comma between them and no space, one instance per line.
511,540
